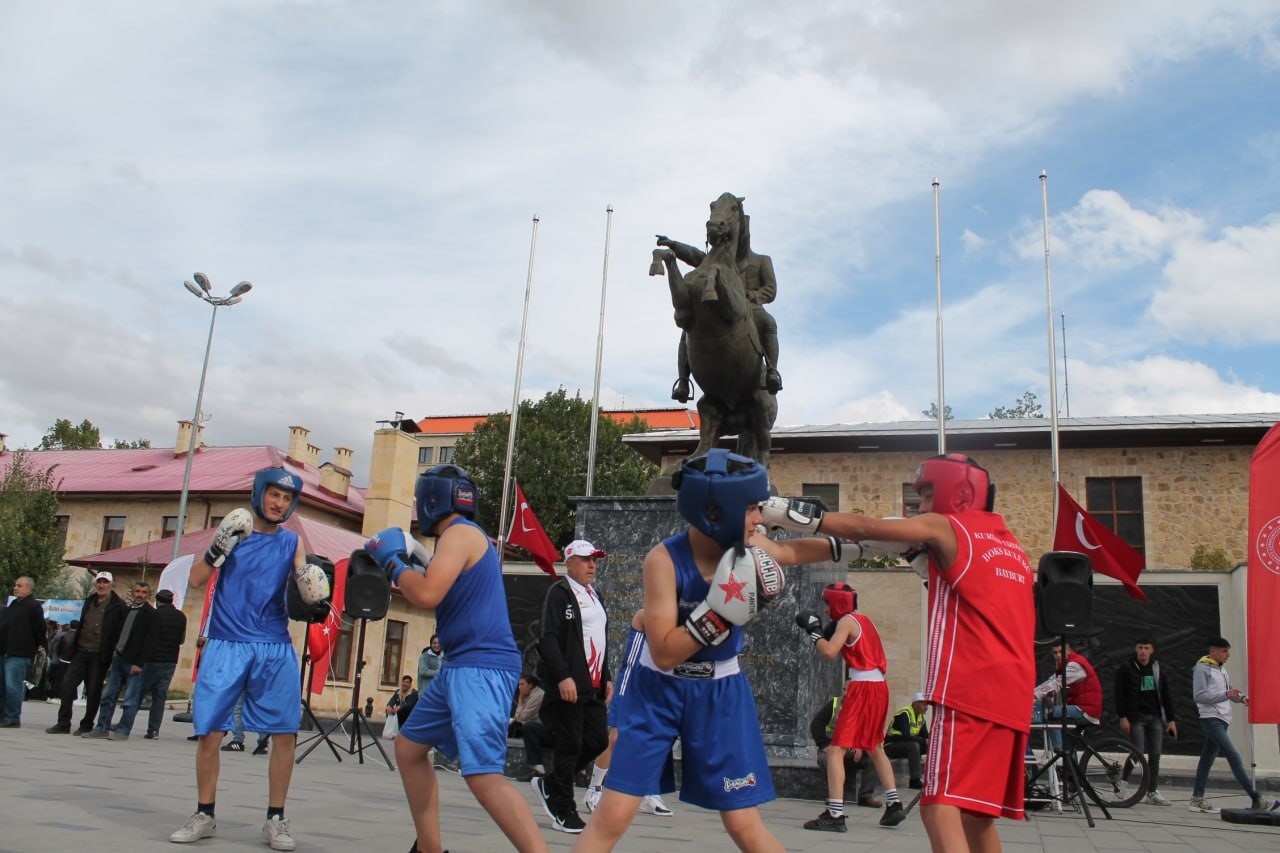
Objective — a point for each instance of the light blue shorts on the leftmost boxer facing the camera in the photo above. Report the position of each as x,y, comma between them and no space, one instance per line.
266,673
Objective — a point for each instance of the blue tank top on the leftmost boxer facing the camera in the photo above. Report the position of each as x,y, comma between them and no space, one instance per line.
249,603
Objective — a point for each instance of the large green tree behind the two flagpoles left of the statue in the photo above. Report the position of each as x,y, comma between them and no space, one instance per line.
552,439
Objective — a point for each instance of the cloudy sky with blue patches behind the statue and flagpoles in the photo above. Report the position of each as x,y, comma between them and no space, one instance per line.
374,168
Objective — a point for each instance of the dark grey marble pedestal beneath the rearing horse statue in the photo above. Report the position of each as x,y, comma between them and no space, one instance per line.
788,678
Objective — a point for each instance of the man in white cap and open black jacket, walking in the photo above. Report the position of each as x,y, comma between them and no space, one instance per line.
575,672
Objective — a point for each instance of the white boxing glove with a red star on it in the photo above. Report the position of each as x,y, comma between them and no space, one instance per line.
746,583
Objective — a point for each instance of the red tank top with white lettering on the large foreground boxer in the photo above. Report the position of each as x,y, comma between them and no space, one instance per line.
982,624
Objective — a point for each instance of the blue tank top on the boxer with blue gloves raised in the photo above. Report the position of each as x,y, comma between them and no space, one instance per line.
473,622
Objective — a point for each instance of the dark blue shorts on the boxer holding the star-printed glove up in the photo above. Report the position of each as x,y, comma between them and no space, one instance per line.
725,767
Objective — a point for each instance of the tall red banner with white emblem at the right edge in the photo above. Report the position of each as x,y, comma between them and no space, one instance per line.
1264,586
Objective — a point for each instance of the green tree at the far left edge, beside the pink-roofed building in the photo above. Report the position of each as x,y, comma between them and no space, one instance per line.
31,542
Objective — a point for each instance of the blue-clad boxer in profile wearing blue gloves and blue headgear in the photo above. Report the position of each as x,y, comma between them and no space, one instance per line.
464,711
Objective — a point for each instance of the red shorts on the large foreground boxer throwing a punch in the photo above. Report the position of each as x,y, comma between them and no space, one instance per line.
976,765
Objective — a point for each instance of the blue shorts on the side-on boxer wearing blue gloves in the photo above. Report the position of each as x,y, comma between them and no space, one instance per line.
464,714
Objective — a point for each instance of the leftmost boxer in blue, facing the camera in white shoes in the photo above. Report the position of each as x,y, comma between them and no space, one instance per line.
249,650
